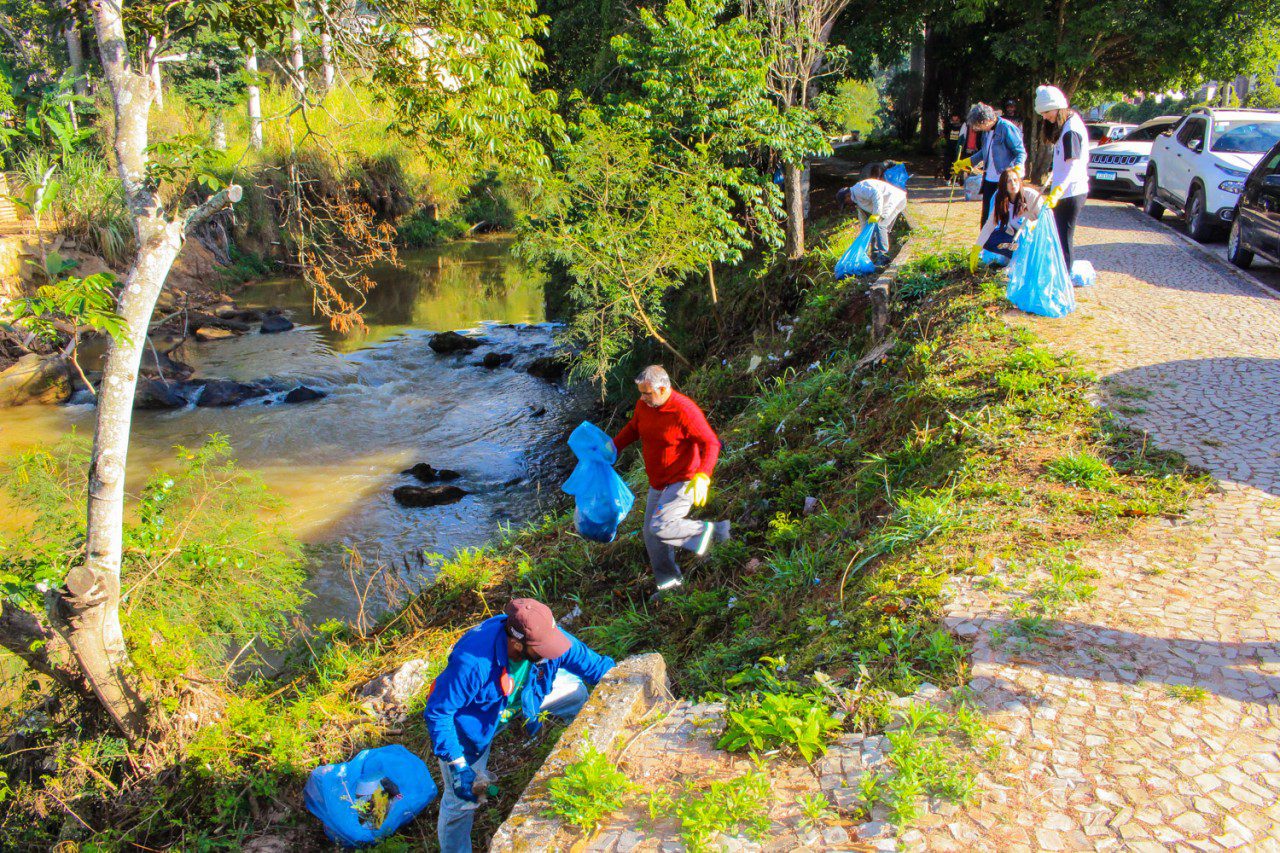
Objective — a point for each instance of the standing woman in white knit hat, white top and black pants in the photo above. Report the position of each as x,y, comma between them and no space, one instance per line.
1069,188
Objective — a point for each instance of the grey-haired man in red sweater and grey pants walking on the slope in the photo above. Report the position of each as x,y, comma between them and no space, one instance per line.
680,451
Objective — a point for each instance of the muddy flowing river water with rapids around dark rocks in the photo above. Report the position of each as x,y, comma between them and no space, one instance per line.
391,403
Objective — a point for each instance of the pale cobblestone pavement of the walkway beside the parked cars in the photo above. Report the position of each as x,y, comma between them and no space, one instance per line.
1153,720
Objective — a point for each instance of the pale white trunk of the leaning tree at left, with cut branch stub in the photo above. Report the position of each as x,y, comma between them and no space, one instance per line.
86,613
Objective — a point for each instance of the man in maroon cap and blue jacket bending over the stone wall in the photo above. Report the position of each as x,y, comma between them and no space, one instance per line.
515,663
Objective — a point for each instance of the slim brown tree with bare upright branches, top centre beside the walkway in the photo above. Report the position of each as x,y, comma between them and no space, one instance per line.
797,51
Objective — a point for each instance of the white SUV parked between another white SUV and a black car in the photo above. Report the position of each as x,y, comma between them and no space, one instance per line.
1199,170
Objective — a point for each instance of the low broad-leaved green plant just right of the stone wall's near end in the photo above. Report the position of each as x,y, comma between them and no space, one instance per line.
764,722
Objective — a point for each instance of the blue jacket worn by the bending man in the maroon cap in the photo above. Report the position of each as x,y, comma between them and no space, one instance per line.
467,700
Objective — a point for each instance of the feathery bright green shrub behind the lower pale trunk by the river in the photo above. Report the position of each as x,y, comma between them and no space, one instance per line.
208,568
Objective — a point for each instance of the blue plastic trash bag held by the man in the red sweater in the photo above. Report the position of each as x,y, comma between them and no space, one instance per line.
601,499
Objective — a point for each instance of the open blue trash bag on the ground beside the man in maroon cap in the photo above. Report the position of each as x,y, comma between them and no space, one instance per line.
349,797
